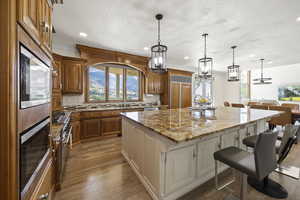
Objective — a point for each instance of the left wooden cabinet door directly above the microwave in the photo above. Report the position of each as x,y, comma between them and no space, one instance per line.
28,17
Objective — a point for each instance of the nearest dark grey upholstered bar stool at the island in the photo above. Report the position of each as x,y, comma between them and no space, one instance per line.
257,165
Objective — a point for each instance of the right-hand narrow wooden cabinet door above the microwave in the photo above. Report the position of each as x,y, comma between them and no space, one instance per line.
46,24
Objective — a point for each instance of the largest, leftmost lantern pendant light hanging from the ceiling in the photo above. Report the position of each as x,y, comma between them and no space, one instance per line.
158,53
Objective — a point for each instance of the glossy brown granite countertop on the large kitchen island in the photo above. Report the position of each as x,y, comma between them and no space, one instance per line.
183,124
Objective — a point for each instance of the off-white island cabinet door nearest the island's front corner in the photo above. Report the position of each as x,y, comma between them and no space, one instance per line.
180,168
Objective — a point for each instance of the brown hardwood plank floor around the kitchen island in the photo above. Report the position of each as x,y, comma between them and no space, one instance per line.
97,171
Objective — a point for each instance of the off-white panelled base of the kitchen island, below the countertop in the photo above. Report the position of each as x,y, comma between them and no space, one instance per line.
168,169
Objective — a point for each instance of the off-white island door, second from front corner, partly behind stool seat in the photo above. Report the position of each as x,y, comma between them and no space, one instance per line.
206,162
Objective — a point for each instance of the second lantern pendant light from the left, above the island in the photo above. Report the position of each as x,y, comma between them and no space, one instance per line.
205,64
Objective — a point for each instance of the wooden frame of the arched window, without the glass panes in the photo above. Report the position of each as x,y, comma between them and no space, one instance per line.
107,100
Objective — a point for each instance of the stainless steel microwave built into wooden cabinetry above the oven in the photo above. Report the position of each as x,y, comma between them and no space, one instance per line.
35,85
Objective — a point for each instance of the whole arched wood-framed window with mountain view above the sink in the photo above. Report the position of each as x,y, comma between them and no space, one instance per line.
113,83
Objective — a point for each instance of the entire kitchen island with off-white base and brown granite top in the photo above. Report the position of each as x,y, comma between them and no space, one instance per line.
171,151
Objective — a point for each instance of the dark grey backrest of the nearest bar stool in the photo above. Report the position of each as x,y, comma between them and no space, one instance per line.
265,154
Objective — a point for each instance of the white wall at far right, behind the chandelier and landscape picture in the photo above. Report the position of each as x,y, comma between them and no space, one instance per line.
282,75
